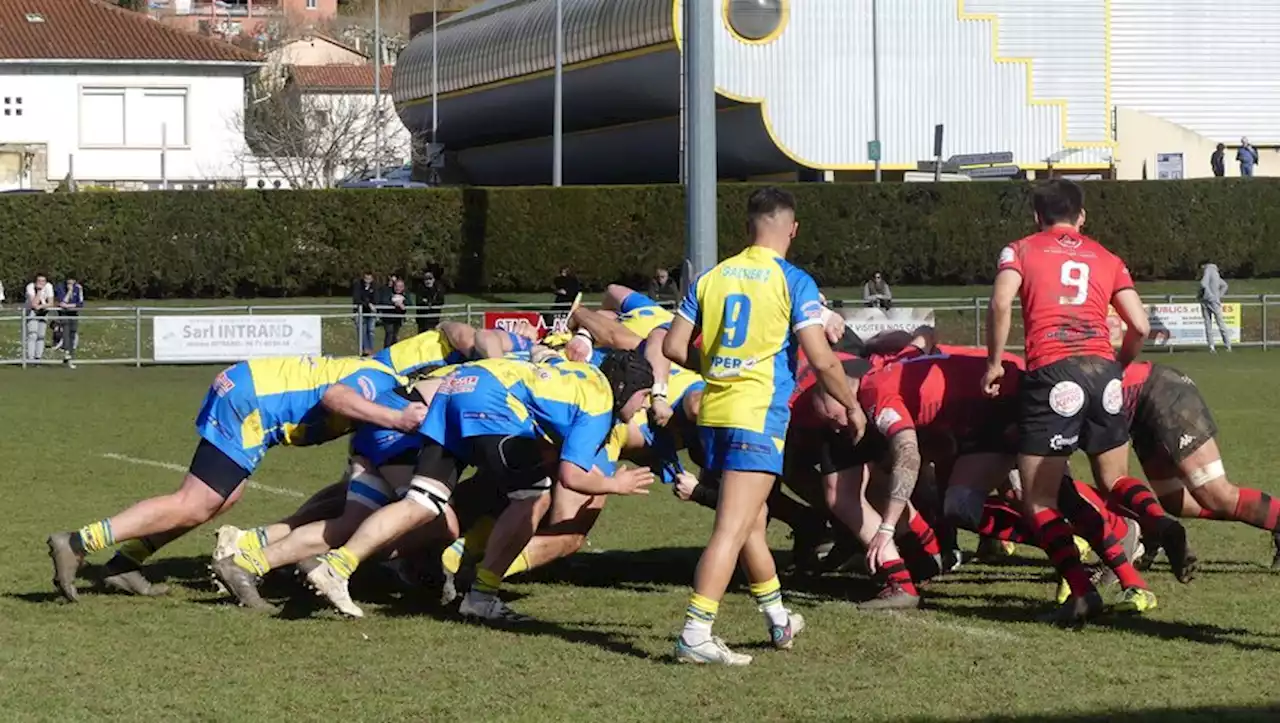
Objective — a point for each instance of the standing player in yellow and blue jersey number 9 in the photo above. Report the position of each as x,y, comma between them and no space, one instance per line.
751,310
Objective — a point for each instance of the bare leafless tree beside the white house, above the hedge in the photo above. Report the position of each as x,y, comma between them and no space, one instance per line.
316,140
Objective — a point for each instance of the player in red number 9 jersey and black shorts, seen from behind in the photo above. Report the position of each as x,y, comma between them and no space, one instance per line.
1071,396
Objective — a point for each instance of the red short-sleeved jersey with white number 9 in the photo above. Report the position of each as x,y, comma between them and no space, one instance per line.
1068,282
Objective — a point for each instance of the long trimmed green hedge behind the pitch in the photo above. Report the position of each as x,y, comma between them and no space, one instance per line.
502,240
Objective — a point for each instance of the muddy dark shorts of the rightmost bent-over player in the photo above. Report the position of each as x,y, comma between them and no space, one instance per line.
1172,419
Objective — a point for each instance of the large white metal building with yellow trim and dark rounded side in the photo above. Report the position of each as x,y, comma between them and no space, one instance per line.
1094,86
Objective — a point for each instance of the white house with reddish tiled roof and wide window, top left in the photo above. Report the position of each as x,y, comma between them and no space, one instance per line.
113,98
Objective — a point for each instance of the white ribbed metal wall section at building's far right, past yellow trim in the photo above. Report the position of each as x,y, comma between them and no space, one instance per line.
1210,66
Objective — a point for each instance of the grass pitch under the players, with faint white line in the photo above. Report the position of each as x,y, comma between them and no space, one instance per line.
607,616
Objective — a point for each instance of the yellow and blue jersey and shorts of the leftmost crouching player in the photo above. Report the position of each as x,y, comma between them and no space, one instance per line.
262,404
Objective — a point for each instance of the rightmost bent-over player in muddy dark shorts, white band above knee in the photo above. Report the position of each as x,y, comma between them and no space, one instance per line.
1176,440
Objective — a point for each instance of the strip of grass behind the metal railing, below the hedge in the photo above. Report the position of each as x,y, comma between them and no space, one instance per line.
108,335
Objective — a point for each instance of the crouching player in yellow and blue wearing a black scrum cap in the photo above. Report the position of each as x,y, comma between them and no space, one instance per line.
493,415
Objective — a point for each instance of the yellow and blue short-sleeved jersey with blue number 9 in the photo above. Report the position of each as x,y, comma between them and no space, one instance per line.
748,310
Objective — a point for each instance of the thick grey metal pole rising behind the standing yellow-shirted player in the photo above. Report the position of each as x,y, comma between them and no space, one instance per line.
701,147
